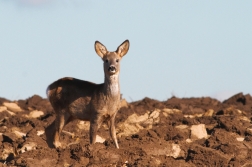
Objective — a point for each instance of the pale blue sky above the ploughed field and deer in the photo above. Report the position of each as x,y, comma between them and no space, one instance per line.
182,48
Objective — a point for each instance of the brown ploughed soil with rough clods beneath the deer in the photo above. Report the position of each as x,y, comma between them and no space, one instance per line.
150,133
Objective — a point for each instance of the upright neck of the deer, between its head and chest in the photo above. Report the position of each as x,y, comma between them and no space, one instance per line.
111,85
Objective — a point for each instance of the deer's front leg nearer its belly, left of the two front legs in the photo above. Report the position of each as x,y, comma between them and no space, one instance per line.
94,126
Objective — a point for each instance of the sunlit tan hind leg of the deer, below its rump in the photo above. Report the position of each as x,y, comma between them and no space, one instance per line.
60,121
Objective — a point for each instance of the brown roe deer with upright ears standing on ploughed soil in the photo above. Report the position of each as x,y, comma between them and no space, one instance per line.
73,98
